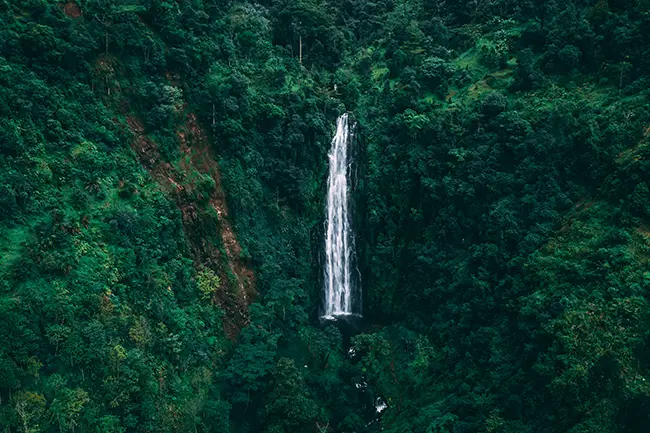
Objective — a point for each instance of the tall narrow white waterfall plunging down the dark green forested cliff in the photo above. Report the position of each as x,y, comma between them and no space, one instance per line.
342,294
